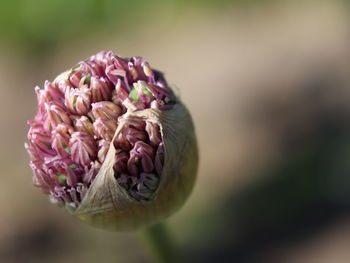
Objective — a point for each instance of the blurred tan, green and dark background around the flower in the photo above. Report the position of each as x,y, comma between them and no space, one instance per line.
267,83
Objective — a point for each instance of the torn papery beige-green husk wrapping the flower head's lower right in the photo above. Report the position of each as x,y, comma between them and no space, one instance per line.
108,205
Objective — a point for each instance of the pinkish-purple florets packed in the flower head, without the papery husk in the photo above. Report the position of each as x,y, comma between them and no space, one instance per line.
78,114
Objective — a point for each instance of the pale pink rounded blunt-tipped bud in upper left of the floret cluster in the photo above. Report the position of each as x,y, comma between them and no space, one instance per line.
78,101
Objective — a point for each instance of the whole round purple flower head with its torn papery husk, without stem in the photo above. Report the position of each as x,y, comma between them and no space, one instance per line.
112,144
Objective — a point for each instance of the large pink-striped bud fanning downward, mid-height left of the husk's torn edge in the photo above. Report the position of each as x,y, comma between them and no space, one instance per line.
83,148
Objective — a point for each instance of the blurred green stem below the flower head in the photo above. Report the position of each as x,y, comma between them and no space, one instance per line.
160,243
